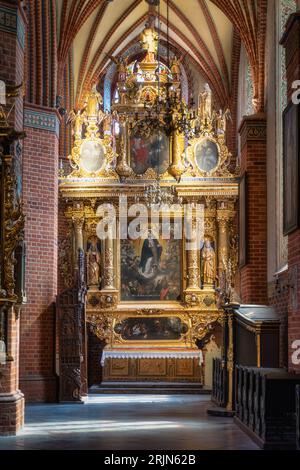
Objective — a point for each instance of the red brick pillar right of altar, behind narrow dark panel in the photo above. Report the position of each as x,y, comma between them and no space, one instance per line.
253,131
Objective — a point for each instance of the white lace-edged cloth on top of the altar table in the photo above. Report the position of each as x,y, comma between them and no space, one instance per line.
151,354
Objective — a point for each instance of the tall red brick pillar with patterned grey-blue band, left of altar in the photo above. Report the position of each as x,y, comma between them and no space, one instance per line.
40,171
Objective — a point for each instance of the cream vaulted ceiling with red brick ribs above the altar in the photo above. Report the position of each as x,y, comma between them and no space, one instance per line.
201,29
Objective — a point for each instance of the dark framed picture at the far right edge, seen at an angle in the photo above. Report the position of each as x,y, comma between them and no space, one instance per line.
291,169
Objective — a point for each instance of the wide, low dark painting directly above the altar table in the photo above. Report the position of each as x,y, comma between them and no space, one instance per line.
151,329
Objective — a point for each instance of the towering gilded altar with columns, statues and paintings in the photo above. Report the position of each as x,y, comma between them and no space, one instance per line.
154,275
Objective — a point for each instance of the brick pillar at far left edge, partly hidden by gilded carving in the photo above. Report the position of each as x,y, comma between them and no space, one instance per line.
12,35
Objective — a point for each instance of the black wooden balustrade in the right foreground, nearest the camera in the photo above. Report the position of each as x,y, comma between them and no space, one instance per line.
266,406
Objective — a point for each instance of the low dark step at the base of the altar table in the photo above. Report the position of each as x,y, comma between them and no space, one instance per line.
149,388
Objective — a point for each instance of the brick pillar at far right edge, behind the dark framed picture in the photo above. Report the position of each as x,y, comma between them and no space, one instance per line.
291,42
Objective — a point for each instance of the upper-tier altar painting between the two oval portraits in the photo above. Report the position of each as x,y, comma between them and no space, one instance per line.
152,152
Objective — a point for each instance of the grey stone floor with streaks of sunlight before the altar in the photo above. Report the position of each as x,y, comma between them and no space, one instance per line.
133,422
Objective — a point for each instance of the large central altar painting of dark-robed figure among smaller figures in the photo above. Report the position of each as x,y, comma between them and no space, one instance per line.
151,268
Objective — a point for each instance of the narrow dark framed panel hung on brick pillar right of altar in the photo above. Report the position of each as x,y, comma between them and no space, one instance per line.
243,252
